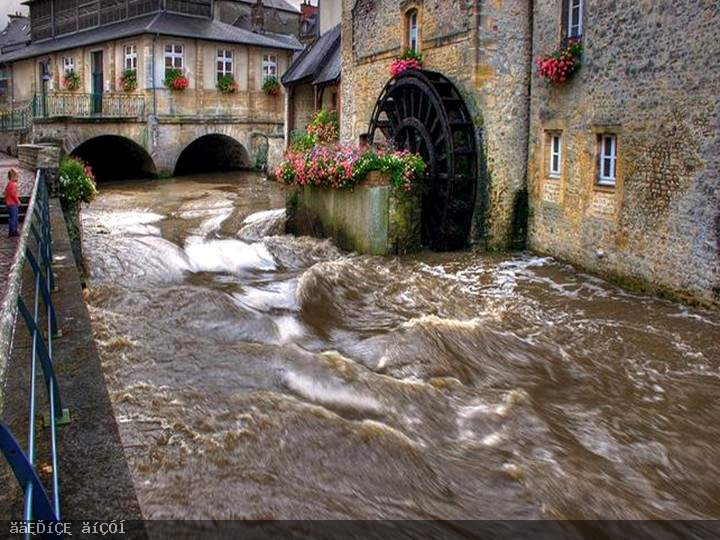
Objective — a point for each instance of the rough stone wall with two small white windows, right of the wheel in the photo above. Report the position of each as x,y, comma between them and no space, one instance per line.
658,90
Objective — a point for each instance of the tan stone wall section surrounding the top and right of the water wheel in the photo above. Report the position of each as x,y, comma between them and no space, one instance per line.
484,49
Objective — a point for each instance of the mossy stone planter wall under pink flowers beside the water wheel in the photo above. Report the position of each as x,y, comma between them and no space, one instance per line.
373,218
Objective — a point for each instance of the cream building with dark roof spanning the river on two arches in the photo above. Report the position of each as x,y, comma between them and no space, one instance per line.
72,75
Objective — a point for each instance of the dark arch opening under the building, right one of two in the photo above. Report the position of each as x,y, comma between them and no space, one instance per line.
213,152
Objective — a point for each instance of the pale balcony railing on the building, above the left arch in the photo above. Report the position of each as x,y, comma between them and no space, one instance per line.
74,105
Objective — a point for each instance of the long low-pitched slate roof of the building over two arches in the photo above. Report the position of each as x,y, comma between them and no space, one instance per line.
163,23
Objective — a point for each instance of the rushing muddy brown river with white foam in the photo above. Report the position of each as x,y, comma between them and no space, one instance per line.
256,375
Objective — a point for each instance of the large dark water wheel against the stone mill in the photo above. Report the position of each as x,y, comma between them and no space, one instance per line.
423,112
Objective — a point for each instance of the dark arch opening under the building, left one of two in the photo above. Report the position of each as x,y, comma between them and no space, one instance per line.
114,157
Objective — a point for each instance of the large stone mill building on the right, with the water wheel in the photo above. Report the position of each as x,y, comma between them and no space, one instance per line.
615,171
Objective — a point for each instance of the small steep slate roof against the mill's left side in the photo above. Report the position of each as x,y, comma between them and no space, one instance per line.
318,64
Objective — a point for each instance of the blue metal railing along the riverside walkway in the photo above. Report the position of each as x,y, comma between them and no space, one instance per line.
41,322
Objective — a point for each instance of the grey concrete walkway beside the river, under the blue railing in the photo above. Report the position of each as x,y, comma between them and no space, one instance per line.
94,475
